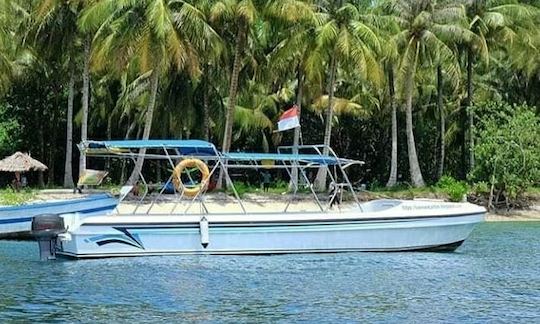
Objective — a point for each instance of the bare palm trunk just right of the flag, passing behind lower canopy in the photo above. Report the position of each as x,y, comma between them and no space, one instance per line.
320,181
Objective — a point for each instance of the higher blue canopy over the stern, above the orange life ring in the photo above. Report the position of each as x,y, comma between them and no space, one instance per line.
186,147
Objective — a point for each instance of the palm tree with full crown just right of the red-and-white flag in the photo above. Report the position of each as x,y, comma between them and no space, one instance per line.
346,41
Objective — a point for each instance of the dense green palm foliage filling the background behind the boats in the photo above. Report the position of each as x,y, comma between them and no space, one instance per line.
288,47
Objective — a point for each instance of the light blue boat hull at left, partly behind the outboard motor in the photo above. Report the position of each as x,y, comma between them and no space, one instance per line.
17,219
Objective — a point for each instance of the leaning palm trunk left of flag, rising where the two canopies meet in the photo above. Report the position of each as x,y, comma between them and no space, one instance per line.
233,89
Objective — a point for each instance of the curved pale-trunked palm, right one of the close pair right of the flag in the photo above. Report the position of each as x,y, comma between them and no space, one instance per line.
424,30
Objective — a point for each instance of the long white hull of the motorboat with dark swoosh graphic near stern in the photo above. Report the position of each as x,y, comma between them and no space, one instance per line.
303,235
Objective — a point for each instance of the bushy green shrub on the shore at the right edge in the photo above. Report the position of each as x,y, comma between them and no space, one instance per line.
508,148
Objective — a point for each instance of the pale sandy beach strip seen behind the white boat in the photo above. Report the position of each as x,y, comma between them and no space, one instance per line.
220,202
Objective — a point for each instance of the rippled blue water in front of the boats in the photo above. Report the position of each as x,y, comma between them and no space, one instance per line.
494,276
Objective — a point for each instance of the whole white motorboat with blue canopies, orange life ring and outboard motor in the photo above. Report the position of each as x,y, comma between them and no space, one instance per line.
379,225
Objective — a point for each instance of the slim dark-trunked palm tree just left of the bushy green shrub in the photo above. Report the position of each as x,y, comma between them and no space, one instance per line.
491,21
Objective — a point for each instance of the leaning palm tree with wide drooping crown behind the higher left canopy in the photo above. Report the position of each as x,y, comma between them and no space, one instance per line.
141,35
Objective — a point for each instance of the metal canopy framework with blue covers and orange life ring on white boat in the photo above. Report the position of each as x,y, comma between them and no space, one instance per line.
288,158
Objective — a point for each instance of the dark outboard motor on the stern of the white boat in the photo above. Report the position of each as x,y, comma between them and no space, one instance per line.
45,229
